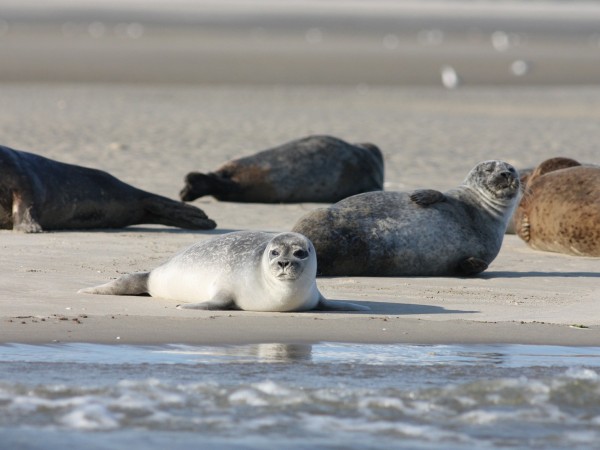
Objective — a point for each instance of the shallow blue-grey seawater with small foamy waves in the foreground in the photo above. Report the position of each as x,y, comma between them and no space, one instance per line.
299,396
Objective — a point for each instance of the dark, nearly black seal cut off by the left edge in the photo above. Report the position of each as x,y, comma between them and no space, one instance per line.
38,194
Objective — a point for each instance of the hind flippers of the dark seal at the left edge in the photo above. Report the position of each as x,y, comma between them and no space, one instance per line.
169,212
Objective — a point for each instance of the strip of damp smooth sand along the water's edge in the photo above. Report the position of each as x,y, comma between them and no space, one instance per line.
216,330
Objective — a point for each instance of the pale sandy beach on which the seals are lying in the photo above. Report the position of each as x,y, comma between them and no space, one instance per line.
151,134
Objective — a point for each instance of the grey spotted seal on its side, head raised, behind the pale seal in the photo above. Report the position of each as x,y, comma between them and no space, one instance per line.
423,233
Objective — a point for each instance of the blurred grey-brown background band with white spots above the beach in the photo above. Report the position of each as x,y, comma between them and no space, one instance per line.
308,42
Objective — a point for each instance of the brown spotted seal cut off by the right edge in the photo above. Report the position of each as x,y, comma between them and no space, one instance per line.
560,209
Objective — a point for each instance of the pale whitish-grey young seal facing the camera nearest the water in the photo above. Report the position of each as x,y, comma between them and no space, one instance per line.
248,270
